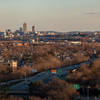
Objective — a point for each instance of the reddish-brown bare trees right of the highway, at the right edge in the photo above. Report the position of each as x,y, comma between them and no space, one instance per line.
87,73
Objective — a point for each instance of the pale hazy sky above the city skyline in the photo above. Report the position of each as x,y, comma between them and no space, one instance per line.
51,15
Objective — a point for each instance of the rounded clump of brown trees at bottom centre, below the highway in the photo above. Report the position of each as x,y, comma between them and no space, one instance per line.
58,90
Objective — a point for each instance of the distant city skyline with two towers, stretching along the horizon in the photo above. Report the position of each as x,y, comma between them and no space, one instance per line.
47,36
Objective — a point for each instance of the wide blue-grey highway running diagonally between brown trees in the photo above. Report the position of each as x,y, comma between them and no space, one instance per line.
45,77
